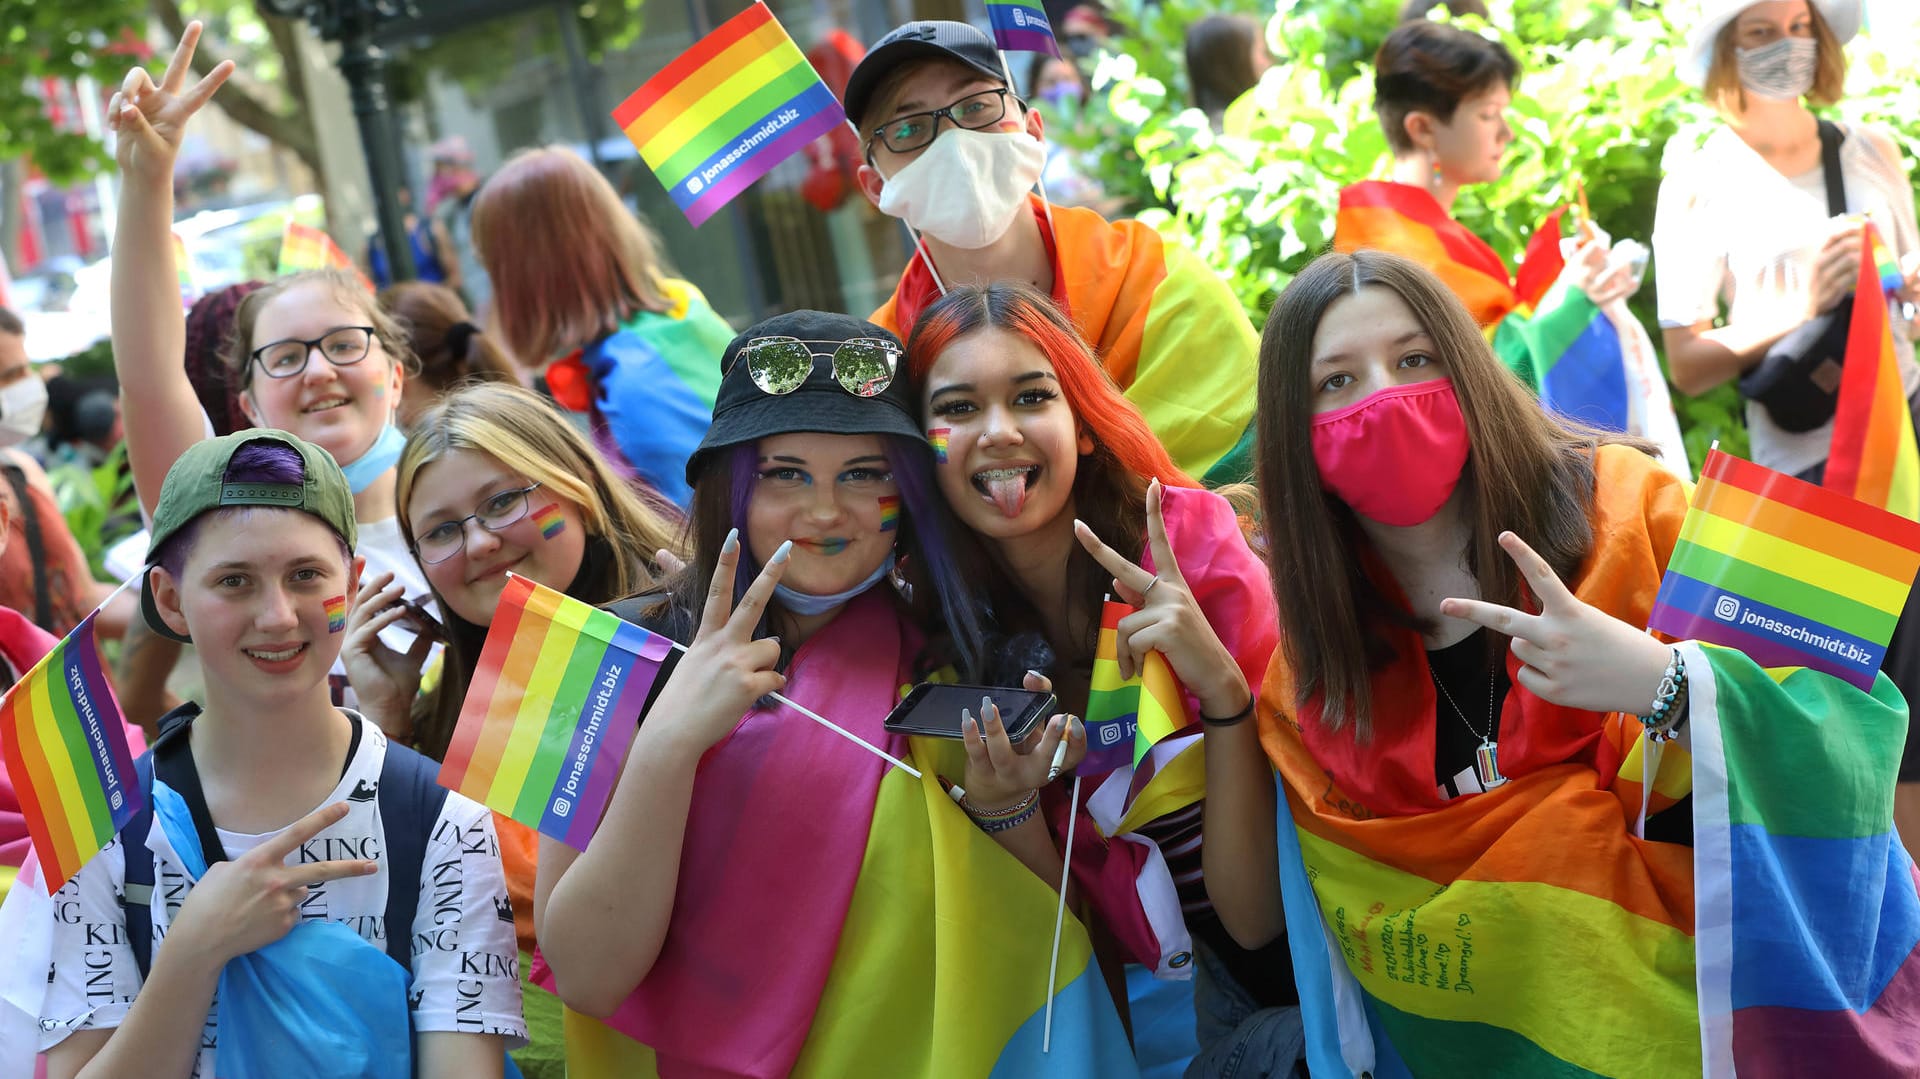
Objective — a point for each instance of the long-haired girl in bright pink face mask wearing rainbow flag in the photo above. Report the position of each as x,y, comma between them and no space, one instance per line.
1466,711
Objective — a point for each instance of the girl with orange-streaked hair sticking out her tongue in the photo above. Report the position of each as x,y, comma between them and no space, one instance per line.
1049,466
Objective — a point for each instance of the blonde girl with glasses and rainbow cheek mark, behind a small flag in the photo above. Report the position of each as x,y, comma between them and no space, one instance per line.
496,481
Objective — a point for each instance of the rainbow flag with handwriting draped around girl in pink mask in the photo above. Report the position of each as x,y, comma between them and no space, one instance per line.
1524,930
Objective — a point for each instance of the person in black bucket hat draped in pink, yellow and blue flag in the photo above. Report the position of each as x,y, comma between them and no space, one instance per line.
786,901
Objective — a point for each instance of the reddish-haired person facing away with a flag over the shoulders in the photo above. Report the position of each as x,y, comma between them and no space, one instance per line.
581,299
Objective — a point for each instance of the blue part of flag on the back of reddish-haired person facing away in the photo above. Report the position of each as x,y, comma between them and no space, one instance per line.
652,416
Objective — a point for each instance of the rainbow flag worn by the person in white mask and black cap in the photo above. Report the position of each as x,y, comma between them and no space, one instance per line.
1166,327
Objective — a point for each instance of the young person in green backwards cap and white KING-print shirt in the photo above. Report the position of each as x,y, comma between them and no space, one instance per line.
299,898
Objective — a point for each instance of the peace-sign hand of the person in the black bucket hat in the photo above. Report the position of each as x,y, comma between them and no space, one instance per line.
725,669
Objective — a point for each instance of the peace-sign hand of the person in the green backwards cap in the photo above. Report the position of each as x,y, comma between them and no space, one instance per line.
245,905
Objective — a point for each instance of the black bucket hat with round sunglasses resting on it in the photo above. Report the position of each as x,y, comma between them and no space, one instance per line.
748,414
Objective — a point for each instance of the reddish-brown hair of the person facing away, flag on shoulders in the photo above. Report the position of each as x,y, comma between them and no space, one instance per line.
569,260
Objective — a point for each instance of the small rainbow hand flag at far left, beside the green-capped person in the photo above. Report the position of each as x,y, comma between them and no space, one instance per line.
66,752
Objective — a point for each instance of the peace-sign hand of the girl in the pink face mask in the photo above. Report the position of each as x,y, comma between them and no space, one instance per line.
1573,654
